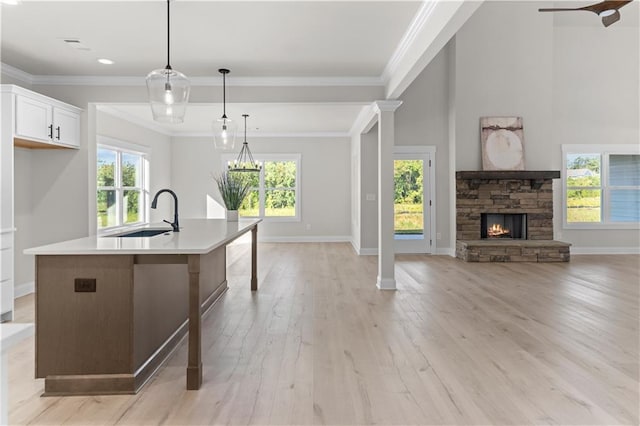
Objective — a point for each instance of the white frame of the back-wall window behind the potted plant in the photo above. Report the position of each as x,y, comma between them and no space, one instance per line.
262,158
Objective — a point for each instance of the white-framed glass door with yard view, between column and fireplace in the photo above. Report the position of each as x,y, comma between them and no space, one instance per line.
412,215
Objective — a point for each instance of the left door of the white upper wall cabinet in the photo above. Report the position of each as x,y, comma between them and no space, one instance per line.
33,119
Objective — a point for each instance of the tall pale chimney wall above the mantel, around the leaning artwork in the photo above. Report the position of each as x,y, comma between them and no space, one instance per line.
504,58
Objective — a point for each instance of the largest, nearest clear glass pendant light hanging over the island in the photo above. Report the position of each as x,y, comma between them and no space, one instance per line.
168,89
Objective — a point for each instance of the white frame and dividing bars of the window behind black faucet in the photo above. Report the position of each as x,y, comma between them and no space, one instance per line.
120,147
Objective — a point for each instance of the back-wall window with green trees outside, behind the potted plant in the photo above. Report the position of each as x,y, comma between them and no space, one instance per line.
274,193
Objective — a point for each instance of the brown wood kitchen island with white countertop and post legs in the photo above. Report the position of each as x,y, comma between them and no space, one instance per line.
110,309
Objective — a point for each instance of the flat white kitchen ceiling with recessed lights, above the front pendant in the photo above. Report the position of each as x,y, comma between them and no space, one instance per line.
253,39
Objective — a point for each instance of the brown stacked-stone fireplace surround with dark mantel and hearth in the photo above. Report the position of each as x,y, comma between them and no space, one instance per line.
523,191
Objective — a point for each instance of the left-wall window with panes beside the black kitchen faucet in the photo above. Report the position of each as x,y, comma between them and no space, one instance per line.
122,189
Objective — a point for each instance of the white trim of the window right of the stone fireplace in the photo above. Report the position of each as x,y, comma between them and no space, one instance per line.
605,151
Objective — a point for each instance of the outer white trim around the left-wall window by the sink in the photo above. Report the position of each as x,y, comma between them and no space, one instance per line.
145,151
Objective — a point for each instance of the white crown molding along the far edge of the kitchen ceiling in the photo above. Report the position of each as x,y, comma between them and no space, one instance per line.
96,80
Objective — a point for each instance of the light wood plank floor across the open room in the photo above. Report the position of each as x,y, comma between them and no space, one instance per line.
458,343
